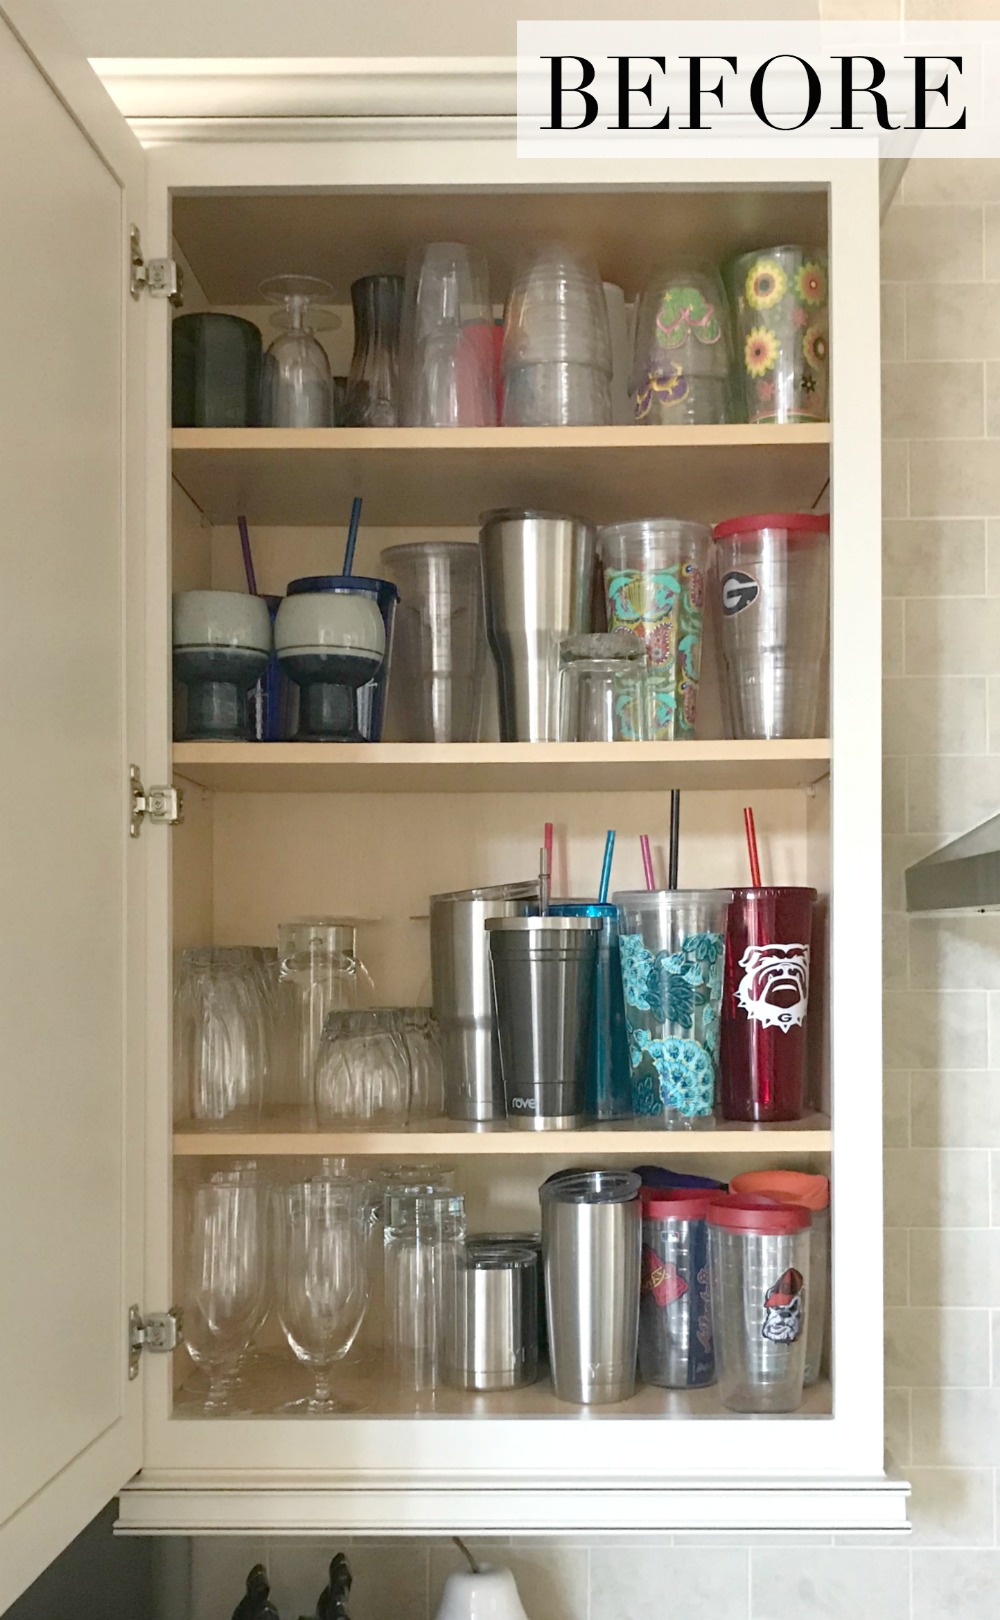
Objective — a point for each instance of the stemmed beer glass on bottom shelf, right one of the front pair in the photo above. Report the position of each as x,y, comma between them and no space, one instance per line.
322,1279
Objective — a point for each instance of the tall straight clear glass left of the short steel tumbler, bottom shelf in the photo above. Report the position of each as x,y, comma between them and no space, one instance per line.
424,1247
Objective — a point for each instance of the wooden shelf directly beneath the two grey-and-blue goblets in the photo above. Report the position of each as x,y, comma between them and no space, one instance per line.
498,767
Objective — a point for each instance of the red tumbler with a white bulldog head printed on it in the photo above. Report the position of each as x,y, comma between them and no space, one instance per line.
766,1000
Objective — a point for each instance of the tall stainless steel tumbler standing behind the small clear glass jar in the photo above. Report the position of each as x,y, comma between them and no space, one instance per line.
537,590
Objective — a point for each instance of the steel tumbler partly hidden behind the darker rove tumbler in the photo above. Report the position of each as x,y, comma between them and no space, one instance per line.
464,995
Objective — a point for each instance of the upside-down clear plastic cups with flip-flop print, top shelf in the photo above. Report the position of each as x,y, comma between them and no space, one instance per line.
683,351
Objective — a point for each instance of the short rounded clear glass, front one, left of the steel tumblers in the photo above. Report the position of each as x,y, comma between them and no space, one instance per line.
364,1070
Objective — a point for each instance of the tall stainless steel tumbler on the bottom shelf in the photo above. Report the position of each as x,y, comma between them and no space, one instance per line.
591,1243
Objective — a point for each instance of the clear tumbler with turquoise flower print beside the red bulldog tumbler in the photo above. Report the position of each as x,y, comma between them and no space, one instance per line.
673,961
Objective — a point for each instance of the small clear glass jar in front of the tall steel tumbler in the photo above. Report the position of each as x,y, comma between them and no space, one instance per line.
604,689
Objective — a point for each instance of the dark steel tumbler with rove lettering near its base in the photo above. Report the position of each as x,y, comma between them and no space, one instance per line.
544,986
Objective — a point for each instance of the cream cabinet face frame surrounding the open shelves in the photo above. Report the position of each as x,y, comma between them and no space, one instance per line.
393,1465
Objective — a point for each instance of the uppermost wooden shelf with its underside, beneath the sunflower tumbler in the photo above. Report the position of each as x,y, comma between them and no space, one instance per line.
421,477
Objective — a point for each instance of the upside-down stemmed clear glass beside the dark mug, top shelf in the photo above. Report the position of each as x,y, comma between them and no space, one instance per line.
297,390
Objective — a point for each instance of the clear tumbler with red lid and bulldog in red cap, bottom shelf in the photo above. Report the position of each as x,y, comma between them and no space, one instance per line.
759,1263
